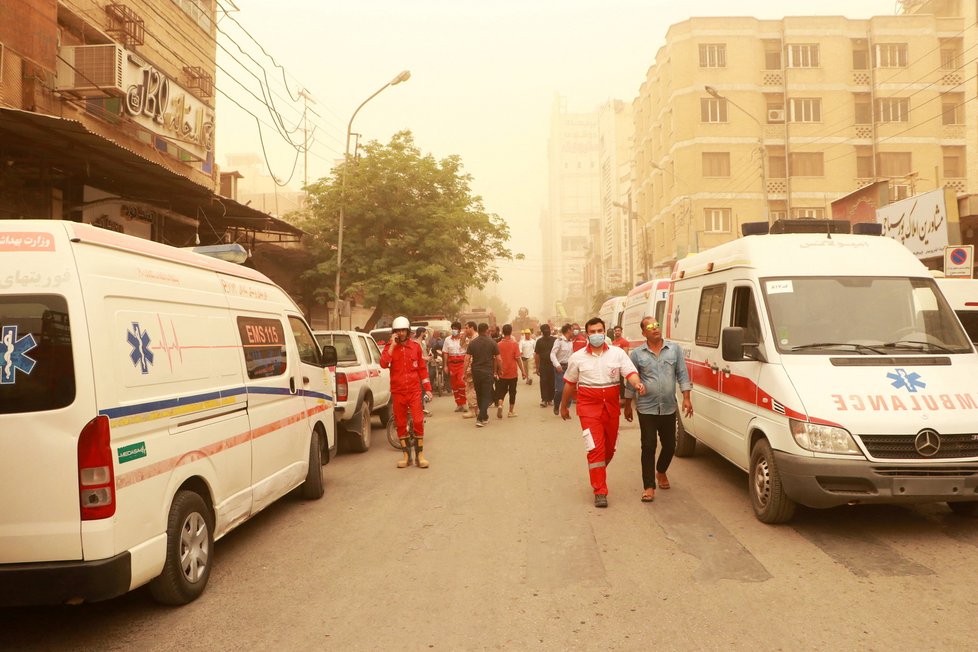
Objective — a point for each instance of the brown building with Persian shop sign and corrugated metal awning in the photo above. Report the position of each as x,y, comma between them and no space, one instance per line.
107,116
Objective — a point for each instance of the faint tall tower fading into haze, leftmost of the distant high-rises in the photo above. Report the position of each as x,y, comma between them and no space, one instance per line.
571,226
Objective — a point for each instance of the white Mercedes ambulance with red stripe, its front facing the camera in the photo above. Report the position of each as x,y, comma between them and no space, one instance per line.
831,369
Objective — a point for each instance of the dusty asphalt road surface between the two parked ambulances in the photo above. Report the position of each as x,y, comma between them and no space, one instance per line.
498,546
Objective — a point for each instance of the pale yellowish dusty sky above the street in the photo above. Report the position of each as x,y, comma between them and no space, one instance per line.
484,75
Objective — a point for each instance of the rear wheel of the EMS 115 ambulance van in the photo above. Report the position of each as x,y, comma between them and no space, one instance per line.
189,551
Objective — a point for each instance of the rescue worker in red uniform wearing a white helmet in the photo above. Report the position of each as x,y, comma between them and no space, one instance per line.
409,372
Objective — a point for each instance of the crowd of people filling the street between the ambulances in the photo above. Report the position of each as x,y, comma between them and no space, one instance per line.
598,371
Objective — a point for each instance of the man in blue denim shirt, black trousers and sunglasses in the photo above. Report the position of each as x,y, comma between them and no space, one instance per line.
661,366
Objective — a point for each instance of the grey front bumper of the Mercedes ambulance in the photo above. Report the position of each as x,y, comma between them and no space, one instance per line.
819,482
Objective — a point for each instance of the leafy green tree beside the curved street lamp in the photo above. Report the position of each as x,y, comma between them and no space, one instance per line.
415,238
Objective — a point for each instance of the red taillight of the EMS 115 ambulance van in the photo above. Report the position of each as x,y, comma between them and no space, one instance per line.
96,479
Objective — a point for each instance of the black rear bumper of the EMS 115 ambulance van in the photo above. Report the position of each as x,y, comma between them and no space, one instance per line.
61,582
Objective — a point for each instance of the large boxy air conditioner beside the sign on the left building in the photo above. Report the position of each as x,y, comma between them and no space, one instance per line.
91,70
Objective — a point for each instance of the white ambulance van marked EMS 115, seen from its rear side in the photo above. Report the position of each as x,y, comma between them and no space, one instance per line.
151,399
